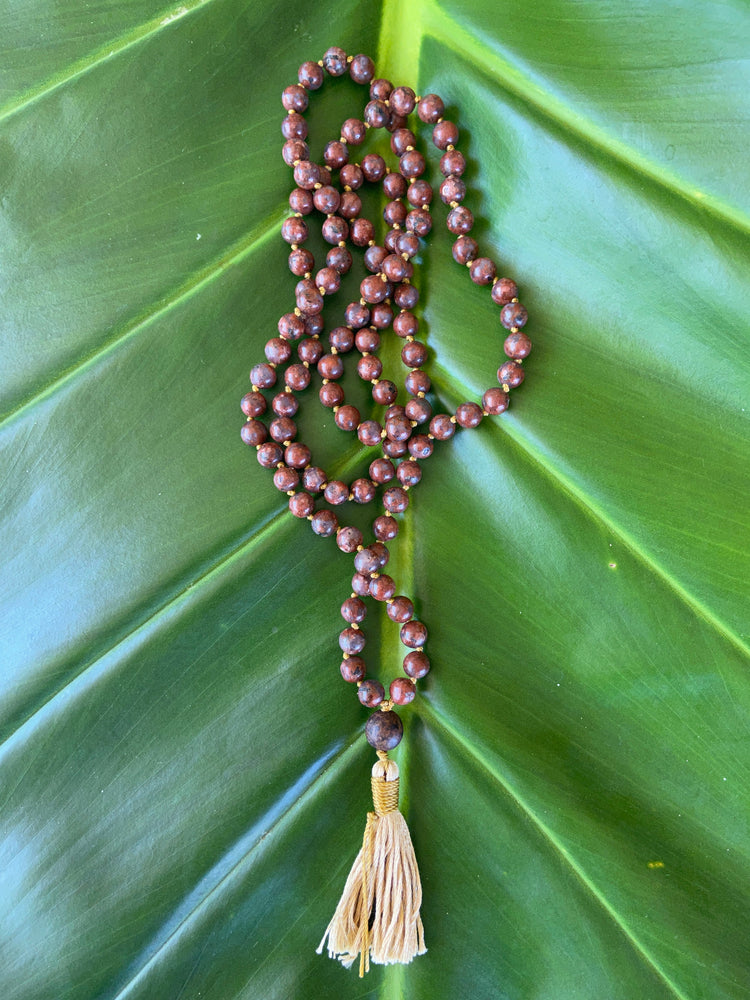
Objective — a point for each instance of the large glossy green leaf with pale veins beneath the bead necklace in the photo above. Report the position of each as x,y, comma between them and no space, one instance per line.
184,778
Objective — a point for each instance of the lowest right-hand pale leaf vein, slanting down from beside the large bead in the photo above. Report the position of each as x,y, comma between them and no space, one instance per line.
549,836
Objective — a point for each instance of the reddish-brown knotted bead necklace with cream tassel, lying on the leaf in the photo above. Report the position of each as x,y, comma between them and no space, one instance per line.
377,917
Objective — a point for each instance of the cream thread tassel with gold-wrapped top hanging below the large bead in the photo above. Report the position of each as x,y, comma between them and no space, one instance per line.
388,927
